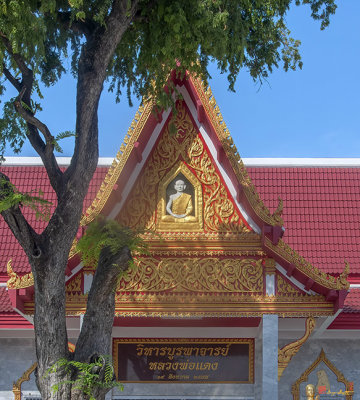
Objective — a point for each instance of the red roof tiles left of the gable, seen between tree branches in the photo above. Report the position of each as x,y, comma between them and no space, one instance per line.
32,179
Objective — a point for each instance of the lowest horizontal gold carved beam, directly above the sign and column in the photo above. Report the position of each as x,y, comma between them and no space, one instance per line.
197,304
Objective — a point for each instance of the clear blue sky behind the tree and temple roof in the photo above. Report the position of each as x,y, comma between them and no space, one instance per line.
313,112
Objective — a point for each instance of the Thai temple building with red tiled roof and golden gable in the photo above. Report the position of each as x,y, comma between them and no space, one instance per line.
251,288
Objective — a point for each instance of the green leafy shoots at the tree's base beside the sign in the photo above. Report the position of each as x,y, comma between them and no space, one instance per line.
86,376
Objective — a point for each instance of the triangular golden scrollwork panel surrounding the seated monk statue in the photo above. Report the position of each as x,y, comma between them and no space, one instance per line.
182,157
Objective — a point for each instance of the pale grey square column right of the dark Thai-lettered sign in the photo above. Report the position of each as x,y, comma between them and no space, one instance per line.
270,328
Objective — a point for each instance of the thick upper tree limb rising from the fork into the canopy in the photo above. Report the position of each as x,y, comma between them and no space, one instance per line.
94,60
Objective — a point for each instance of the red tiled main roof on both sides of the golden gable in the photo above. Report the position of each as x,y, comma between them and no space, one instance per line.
321,211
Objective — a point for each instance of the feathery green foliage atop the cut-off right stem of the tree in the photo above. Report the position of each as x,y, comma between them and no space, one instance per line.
108,233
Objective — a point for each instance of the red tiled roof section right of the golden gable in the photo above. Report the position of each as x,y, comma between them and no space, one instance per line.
321,212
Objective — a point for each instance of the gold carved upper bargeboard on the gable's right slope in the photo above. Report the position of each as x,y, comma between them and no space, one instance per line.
214,114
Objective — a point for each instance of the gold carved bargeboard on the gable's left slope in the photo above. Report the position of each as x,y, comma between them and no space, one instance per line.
117,166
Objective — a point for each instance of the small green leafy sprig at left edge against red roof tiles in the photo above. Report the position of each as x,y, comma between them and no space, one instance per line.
12,197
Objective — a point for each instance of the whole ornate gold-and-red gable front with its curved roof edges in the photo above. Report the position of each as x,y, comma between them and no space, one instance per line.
211,258
